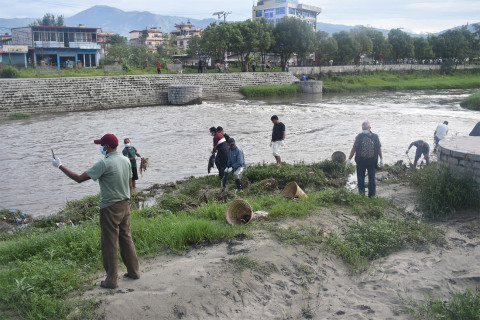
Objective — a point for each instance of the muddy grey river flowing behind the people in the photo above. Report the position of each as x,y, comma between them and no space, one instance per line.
177,141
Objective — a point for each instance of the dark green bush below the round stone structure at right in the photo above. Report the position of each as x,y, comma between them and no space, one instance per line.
442,193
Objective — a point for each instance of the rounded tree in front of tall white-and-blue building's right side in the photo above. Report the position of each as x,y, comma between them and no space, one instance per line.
291,36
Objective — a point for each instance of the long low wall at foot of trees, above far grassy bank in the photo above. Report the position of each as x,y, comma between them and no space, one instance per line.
392,67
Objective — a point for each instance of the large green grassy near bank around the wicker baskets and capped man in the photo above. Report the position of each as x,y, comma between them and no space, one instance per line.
43,267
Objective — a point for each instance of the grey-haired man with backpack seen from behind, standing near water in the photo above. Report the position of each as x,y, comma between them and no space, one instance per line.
367,149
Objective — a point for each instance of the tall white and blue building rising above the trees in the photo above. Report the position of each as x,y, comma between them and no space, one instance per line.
275,10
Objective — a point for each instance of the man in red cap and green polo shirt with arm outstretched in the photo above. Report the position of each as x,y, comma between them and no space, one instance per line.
114,174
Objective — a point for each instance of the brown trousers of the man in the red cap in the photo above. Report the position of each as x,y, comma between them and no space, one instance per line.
115,230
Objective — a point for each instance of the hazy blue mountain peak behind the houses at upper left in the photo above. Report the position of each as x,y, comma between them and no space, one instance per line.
122,22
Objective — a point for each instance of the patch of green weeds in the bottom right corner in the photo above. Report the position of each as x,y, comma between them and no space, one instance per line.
459,306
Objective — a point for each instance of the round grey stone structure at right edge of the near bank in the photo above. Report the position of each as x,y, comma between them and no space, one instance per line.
461,155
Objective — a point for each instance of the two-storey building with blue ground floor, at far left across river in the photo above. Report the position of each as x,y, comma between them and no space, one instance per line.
59,46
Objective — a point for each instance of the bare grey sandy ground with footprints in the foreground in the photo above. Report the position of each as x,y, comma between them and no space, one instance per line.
302,283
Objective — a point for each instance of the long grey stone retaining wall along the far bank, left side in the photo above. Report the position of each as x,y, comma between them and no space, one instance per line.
47,95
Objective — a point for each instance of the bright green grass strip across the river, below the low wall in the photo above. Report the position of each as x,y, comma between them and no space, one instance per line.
377,81
